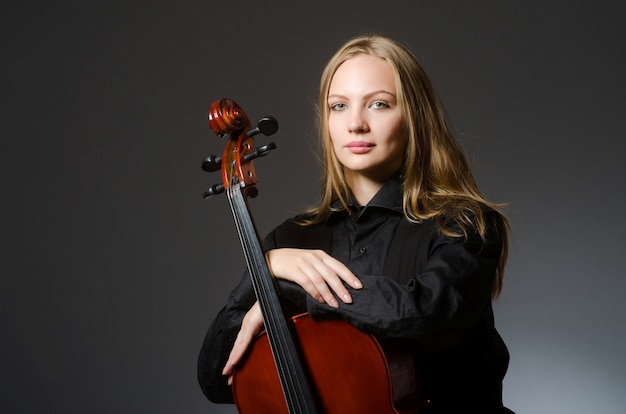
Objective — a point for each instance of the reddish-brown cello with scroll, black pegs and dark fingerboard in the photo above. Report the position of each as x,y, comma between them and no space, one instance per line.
297,365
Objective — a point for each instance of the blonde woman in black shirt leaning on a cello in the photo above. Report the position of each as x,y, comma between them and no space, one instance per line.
402,244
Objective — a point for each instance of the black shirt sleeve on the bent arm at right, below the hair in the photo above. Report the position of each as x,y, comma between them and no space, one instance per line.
438,306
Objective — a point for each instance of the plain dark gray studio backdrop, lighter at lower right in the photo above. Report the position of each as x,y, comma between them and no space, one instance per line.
113,266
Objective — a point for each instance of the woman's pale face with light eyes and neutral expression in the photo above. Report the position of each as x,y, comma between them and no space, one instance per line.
365,120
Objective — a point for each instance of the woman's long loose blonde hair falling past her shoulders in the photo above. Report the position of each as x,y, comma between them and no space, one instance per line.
437,180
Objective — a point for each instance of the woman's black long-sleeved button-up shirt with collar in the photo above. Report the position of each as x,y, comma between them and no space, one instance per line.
430,291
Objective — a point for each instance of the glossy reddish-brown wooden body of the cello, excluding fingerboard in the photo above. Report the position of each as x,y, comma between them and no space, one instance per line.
348,369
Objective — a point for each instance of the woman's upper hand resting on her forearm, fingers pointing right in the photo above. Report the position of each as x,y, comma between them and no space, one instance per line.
316,271
